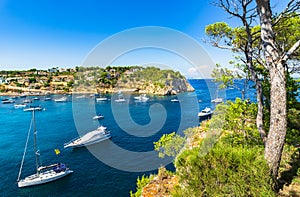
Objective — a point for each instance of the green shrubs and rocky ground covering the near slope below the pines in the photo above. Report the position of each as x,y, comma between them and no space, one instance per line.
223,157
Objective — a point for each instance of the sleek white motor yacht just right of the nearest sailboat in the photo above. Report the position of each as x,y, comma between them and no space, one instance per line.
92,137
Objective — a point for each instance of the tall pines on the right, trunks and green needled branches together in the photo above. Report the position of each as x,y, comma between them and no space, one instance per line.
267,51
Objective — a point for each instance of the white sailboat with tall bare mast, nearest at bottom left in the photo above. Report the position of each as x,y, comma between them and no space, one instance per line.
44,174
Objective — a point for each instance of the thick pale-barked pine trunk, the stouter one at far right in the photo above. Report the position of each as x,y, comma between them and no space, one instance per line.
277,132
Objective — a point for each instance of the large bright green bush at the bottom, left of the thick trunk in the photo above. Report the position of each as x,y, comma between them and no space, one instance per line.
224,171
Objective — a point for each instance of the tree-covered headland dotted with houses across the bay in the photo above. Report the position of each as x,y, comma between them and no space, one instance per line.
149,80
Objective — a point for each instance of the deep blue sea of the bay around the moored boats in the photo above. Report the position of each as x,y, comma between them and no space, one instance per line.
112,167
